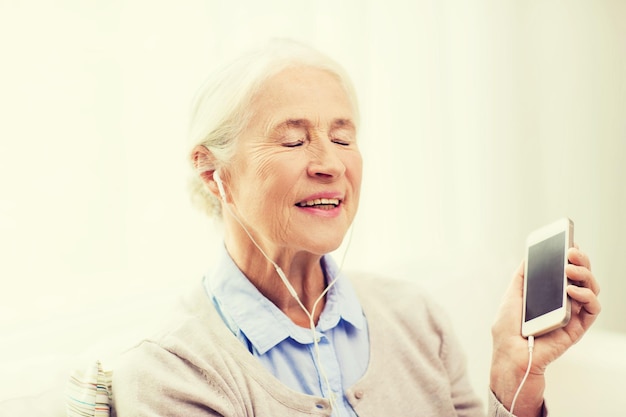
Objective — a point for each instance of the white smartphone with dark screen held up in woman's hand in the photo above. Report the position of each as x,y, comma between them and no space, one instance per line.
546,305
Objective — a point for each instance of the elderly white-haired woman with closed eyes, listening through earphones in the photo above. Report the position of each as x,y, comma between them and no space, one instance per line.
276,328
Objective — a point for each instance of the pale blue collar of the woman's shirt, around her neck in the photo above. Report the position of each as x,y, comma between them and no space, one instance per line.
244,309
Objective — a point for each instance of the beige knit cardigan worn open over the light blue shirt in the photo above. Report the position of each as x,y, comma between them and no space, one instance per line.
196,366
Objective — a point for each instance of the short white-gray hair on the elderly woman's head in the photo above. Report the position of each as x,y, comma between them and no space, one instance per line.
221,107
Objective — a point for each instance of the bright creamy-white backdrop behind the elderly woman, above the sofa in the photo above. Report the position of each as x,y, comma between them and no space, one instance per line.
482,120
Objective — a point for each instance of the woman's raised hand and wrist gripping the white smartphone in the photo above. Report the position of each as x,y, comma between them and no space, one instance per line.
510,349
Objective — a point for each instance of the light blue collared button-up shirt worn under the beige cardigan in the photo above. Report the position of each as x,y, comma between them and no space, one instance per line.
287,350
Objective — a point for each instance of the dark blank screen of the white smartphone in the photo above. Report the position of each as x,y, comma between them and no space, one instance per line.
544,275
